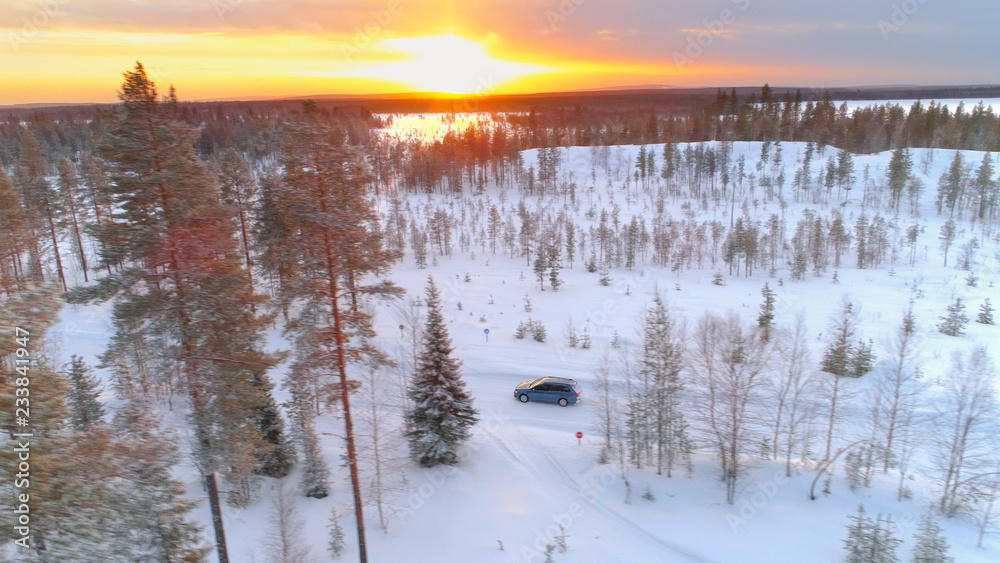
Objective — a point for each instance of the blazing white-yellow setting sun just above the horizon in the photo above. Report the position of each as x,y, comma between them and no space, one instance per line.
447,64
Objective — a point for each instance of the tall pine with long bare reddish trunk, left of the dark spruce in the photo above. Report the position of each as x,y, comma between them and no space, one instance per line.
323,196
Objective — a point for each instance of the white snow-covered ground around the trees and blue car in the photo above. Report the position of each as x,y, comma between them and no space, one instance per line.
524,474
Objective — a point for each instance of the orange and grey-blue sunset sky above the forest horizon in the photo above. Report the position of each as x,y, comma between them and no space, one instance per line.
76,50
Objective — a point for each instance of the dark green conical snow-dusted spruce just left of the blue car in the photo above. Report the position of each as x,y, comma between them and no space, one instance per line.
442,411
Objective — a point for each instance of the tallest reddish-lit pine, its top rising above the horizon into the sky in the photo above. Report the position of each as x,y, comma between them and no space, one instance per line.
182,279
